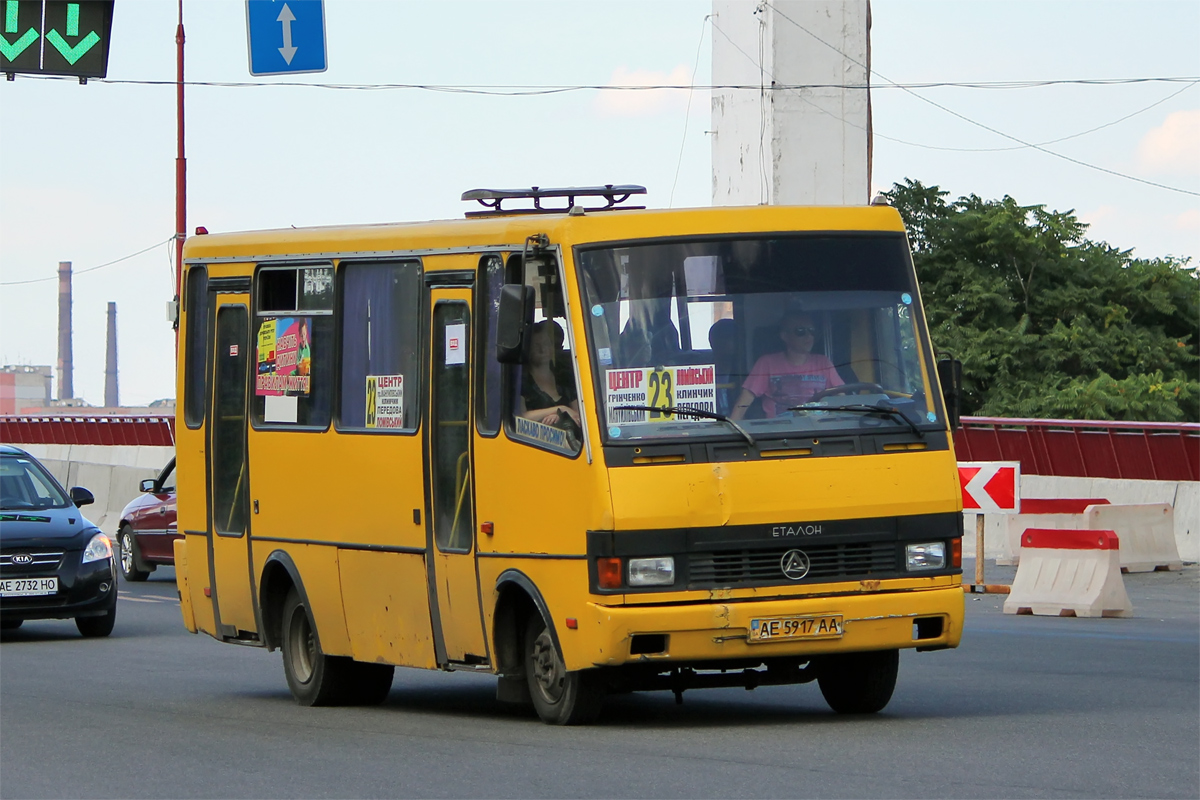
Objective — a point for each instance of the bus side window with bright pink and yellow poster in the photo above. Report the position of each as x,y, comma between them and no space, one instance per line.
293,339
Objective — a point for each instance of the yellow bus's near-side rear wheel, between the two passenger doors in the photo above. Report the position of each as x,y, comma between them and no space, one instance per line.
314,678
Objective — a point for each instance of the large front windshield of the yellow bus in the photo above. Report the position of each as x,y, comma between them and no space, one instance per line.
785,335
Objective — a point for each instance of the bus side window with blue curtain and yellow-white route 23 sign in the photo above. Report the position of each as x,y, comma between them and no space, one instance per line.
380,346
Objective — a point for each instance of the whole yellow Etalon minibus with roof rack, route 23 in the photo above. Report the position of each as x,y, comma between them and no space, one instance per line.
584,447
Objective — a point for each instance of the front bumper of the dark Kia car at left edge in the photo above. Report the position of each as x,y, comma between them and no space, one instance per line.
85,591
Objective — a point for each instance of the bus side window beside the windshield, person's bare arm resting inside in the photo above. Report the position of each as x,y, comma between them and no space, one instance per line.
544,410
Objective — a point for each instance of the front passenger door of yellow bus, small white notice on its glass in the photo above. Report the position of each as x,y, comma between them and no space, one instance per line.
451,525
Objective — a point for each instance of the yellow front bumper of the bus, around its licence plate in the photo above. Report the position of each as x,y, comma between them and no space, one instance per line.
719,631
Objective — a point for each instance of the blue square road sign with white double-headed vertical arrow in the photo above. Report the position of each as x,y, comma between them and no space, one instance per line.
286,37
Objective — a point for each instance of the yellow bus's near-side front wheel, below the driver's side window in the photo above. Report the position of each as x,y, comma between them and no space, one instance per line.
560,697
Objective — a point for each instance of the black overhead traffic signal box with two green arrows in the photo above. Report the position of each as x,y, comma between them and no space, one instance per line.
56,38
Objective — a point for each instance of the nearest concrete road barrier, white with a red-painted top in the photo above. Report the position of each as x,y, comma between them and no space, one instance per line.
1070,574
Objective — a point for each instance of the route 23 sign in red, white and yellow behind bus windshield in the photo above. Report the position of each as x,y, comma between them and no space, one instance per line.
693,387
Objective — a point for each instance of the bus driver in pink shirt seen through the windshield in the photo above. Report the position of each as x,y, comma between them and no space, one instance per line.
789,378
